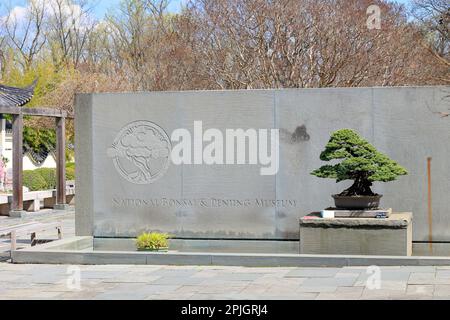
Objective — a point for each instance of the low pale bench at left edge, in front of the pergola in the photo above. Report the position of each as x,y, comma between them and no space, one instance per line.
31,229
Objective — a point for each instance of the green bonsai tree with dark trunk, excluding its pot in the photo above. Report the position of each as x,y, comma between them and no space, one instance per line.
361,162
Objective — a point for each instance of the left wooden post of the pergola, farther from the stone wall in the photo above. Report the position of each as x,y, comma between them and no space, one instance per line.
17,201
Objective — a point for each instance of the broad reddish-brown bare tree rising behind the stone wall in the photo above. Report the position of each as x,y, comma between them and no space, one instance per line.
301,43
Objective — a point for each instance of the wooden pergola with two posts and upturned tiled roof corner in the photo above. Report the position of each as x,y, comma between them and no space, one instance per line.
12,101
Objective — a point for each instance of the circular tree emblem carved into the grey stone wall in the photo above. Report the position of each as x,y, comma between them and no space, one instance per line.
141,152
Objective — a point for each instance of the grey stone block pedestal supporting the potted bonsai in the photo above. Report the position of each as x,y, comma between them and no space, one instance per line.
357,236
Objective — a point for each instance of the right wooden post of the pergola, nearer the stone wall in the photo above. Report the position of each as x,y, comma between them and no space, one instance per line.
61,164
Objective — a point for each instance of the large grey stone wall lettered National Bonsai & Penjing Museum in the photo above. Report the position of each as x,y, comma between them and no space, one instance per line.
235,201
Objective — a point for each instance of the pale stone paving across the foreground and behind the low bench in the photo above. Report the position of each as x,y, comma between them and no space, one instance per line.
206,282
